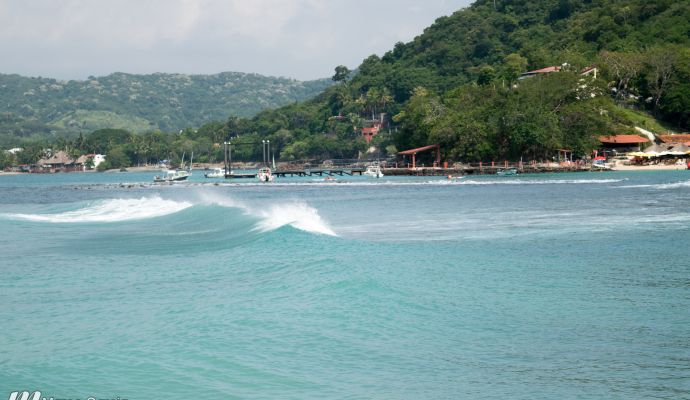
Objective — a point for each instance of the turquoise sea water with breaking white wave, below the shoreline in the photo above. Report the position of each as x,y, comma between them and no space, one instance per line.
528,287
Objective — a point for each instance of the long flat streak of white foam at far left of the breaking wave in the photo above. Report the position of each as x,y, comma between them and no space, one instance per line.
112,210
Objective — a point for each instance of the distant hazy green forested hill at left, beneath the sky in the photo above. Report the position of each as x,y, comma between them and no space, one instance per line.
30,106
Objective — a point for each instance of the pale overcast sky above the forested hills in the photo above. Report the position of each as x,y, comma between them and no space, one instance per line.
303,39
